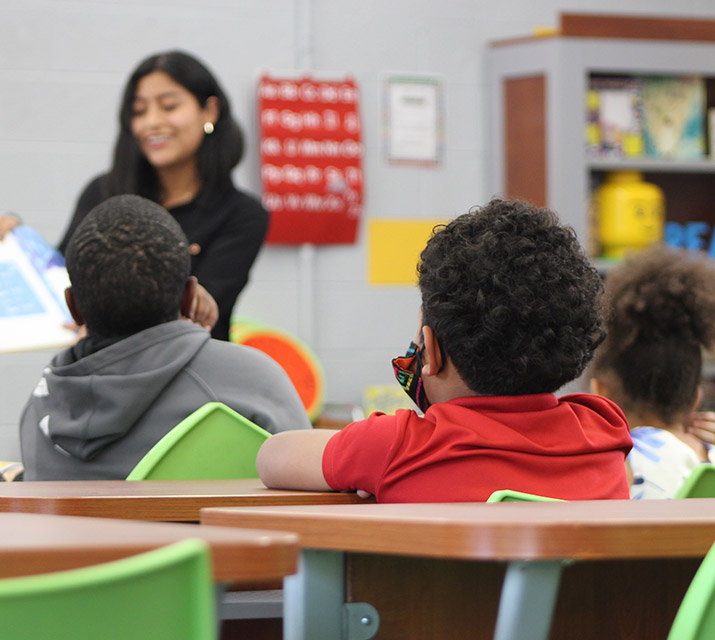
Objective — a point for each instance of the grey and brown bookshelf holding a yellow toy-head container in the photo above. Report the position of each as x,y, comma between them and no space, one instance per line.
537,102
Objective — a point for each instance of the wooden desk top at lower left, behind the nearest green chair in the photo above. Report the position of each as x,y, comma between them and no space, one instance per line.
32,543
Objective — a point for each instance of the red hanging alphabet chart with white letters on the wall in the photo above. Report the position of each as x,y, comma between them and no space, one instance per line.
311,159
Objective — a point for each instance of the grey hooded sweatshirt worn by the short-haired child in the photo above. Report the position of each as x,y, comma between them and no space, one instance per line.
95,417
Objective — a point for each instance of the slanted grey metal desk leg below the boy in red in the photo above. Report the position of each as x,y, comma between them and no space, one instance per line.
527,600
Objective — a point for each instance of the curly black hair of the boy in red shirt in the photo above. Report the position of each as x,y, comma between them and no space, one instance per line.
512,298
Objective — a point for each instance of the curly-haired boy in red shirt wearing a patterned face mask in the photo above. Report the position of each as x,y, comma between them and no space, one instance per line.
511,311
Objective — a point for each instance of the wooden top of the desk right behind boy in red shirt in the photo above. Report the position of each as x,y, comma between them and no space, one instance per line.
588,530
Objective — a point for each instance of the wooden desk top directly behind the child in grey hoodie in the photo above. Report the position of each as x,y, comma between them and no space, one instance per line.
164,500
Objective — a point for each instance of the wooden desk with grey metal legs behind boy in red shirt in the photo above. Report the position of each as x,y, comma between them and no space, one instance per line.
623,566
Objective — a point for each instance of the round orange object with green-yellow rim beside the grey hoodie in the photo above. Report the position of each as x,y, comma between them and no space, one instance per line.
292,354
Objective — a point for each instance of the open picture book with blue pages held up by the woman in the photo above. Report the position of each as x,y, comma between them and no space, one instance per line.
33,312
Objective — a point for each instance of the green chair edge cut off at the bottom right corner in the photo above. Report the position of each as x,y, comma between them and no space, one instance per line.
695,619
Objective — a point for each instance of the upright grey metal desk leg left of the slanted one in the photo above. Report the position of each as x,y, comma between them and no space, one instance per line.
314,597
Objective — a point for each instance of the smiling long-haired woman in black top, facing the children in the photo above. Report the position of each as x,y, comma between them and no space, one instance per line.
177,145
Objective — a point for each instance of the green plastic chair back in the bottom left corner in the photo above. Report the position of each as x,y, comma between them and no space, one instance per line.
166,594
